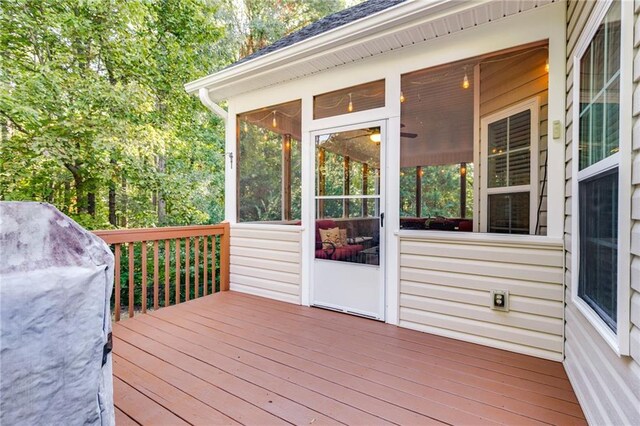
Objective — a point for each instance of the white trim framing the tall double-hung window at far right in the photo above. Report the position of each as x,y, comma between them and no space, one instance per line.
619,341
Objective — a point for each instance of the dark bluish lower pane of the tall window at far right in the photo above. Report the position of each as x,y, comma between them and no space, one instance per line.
599,244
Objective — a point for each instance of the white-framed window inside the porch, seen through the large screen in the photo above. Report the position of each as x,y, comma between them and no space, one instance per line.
508,139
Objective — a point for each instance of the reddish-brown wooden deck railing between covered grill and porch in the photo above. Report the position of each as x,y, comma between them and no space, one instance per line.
164,250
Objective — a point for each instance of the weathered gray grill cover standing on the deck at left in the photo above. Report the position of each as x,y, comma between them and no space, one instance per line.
55,287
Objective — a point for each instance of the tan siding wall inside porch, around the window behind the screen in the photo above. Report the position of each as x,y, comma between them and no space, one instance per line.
508,82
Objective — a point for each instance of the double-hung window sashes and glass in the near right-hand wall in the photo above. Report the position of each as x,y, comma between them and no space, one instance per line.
598,169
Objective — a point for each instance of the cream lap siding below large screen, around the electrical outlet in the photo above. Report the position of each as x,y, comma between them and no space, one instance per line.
445,289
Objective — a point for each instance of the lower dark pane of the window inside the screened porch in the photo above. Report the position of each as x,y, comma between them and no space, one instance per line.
509,213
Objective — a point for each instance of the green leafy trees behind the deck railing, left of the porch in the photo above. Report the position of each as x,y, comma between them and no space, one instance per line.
94,118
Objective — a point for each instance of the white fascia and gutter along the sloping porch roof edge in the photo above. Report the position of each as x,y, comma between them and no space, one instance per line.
374,26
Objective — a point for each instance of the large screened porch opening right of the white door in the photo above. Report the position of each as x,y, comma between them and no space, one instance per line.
469,155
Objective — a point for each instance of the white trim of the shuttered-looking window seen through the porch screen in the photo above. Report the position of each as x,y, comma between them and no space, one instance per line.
533,105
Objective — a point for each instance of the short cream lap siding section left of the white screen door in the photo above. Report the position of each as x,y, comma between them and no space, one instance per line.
266,262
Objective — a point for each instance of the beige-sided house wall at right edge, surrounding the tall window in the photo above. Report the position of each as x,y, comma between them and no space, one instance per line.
607,385
